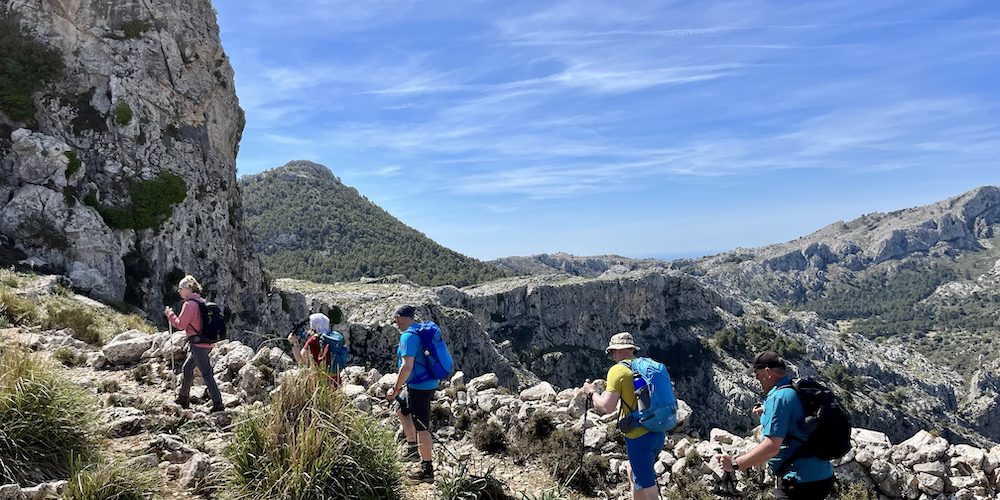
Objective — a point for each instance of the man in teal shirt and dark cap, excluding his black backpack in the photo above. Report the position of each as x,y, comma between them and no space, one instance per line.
782,430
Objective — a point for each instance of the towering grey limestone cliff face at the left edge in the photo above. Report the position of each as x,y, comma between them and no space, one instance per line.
124,178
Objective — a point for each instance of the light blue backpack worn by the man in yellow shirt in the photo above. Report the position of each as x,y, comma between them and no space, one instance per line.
657,409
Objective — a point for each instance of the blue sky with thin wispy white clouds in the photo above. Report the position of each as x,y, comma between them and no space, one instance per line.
634,128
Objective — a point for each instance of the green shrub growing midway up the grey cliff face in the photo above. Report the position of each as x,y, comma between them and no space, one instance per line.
151,203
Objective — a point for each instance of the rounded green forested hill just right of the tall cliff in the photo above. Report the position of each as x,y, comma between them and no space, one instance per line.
307,224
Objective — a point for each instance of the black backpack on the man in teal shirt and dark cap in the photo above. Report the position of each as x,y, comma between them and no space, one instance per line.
827,424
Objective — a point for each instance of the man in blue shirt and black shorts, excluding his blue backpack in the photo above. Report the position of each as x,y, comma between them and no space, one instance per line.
414,403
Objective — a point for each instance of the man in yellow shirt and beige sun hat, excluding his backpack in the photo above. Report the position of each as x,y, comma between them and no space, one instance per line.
642,445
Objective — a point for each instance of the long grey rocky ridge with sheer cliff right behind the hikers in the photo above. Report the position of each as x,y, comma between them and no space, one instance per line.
555,328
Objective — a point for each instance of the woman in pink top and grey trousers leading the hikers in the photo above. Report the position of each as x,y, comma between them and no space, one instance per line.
190,321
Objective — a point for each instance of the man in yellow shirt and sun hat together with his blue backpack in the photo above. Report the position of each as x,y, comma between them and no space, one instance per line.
642,444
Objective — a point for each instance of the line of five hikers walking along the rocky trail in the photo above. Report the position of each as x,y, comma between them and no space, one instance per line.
633,386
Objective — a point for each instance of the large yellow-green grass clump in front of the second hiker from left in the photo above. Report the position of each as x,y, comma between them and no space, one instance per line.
311,443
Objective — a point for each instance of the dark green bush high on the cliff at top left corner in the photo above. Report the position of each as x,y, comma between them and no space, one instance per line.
25,66
